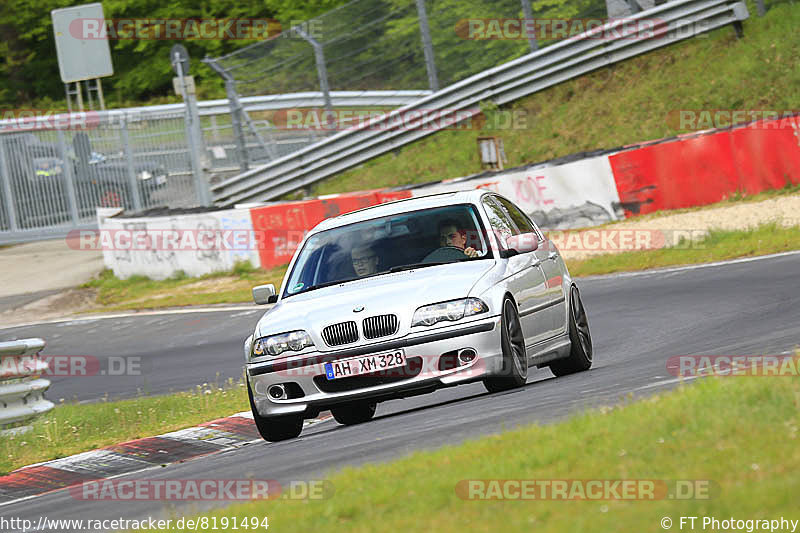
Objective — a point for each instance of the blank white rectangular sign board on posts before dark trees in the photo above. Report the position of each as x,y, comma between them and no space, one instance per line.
82,55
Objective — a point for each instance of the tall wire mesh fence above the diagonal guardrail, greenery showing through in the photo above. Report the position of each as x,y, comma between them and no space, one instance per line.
372,45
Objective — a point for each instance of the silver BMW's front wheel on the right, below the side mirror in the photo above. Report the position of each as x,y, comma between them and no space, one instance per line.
515,360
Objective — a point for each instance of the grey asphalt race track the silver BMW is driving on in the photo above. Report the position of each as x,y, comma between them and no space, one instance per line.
637,322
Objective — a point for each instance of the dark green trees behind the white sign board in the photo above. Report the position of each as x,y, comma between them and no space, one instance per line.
29,69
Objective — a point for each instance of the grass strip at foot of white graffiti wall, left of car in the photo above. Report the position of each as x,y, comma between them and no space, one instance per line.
140,292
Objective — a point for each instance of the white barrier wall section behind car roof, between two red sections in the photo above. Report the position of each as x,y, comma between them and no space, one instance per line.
578,194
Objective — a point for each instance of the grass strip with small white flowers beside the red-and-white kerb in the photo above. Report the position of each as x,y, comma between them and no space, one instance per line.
72,428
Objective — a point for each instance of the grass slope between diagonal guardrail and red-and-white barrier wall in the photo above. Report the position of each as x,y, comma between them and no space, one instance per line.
623,104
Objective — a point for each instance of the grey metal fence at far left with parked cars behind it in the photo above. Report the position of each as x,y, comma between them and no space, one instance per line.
53,176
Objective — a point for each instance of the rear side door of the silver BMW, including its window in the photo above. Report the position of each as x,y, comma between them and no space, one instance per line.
551,265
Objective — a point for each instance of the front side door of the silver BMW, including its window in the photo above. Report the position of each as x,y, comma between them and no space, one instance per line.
524,277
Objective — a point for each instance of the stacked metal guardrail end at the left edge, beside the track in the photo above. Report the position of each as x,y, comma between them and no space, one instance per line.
21,386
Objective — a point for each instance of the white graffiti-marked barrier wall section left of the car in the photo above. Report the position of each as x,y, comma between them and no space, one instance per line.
158,247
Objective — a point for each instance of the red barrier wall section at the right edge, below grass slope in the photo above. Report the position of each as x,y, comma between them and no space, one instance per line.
707,168
